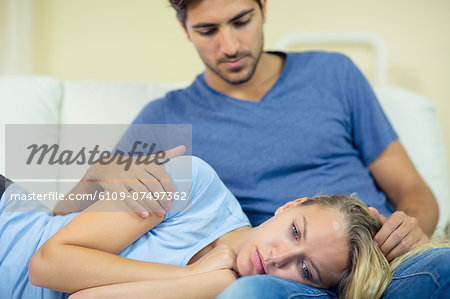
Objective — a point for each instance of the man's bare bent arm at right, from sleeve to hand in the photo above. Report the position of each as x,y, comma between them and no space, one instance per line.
417,210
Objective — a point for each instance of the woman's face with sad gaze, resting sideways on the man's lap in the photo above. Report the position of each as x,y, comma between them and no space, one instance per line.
307,244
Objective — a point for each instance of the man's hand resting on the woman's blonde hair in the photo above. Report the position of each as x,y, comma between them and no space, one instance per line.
398,234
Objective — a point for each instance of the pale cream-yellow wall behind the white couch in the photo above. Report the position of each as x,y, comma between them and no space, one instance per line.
140,39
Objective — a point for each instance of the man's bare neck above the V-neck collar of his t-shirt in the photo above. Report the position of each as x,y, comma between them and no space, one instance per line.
266,74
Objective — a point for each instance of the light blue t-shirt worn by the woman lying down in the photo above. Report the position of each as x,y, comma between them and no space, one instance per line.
213,212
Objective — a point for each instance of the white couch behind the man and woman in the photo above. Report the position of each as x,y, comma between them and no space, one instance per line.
49,100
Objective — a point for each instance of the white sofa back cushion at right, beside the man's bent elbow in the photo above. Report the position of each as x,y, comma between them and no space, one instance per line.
414,118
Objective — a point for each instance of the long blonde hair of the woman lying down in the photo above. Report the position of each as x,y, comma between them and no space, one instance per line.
369,272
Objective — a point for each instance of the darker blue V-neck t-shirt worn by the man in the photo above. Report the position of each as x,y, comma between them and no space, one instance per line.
314,132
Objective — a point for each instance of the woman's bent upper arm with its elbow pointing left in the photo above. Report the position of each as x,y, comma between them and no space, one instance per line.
83,253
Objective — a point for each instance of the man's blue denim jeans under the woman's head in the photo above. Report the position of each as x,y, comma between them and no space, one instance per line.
425,276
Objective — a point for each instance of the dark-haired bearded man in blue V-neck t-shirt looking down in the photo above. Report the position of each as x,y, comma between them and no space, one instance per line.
278,126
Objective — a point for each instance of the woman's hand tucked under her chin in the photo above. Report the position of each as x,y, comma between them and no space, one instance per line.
220,258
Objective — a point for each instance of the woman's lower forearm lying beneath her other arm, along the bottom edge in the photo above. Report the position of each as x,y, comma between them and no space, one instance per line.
204,285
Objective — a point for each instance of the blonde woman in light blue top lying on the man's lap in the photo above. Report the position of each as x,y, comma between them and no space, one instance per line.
195,251
